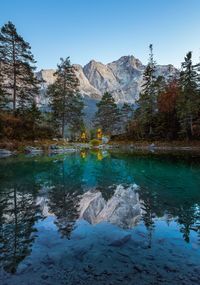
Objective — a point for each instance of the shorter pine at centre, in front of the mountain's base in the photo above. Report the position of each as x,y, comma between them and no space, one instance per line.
107,116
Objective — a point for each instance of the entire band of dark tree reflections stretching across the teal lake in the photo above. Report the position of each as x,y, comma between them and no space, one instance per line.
168,190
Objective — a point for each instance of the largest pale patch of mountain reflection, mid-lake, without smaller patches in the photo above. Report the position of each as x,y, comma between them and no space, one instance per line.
122,209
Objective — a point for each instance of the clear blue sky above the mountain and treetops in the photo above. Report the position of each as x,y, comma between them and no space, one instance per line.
105,30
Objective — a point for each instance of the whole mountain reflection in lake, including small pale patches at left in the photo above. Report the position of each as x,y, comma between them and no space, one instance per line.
123,208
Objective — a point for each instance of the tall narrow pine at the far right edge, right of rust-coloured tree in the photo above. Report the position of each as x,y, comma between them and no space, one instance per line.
189,100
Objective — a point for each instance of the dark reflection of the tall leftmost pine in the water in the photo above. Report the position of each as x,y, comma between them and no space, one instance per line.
18,215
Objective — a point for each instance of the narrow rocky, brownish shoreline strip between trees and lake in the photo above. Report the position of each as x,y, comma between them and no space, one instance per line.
20,146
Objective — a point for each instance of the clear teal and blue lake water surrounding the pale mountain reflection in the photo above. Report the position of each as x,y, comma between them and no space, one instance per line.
44,241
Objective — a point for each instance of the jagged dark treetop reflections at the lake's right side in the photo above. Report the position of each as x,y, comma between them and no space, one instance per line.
186,214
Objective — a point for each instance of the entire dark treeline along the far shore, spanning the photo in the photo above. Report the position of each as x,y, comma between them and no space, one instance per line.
168,107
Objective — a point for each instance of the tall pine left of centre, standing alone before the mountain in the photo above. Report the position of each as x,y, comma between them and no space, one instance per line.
66,102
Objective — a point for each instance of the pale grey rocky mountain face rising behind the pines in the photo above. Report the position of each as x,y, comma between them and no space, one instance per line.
123,78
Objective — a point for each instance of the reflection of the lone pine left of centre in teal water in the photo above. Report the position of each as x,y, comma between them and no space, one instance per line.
63,199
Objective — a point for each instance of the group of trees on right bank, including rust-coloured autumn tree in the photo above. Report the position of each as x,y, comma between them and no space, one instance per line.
168,108
